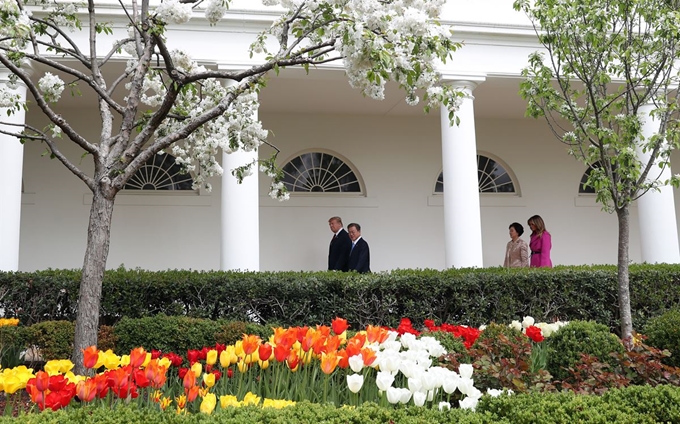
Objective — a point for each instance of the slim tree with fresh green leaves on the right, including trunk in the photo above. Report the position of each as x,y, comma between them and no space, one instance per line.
609,68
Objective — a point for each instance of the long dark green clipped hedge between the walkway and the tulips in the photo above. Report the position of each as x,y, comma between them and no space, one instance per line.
461,296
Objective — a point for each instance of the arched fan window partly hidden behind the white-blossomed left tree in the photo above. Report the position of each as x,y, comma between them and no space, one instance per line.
160,173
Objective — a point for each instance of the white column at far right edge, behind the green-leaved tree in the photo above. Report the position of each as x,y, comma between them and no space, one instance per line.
656,209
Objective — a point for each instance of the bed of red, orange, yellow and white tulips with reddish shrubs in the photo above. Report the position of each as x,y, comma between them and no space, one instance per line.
326,365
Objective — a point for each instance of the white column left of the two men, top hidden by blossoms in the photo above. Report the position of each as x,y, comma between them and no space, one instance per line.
240,217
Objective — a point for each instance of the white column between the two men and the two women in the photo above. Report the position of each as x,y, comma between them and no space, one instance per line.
462,218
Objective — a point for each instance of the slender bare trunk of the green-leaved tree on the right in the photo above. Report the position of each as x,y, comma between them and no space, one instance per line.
623,277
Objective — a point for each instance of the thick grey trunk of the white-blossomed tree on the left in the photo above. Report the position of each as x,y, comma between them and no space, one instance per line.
89,298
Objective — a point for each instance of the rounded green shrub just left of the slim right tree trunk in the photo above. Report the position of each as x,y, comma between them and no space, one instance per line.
580,337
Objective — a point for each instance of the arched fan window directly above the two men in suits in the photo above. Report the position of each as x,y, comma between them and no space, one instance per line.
320,172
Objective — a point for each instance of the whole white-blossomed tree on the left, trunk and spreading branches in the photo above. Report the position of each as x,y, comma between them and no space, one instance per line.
192,113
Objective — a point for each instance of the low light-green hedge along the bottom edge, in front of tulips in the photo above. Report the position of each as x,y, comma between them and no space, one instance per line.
638,404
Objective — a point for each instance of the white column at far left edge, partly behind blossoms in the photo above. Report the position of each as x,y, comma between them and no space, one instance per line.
11,169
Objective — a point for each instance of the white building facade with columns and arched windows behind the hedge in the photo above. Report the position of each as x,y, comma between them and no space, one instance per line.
395,155
